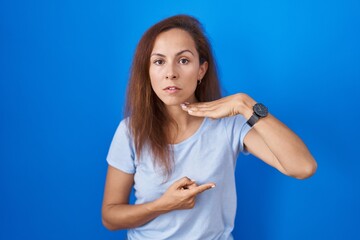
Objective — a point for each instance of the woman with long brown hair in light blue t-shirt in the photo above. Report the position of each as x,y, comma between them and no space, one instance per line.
180,140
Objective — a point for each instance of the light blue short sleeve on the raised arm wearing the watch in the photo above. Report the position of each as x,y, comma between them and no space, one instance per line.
237,128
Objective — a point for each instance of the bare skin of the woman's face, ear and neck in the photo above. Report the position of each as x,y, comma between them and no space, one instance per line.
175,62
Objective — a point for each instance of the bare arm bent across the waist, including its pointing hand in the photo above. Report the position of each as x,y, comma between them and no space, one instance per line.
117,213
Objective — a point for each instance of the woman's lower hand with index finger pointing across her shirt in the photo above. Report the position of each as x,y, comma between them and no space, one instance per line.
181,195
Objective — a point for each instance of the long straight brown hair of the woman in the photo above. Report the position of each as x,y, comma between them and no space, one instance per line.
148,118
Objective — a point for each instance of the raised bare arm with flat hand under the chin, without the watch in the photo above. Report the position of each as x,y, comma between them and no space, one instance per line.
270,140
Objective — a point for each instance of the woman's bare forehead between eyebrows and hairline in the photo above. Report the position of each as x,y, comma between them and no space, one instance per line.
172,41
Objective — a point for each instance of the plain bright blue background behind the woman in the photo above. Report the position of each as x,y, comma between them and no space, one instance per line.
64,67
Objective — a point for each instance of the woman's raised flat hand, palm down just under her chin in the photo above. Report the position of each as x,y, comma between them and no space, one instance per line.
239,103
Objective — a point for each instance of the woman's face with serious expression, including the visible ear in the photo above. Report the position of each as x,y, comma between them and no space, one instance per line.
175,67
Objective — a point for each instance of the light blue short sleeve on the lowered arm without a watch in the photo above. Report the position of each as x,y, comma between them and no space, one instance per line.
121,154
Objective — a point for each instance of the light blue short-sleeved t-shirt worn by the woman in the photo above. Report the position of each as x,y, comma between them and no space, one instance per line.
209,155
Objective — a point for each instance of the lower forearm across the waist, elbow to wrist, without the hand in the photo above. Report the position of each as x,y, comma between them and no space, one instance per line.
125,216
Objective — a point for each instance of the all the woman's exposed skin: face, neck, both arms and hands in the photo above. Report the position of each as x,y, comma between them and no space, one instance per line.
175,62
